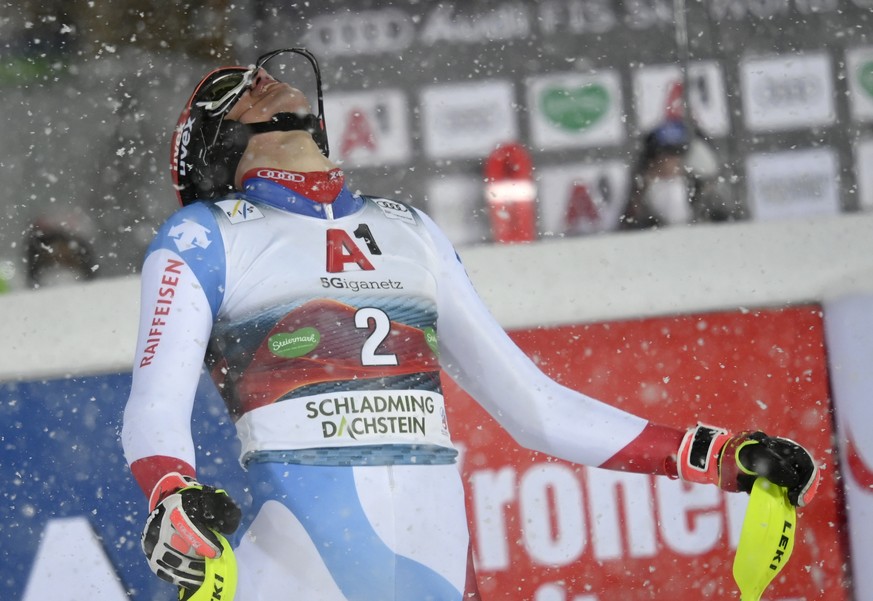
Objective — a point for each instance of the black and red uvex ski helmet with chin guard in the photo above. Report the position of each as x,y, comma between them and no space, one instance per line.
206,148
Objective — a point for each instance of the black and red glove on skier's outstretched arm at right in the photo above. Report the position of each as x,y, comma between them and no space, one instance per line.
713,455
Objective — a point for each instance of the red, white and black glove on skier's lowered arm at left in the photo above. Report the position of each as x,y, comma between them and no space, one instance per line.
178,534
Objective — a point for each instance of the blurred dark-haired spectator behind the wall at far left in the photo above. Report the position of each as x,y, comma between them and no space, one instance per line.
56,254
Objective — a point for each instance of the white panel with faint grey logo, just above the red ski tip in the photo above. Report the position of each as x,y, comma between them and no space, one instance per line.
467,120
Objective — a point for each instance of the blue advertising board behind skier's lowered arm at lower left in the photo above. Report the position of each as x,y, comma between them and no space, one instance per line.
62,458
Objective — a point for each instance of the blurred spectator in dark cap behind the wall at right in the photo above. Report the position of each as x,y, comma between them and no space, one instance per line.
676,181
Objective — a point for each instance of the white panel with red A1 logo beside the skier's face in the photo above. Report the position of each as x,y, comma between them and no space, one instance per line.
367,129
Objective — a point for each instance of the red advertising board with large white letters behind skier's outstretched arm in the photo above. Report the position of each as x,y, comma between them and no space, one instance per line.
548,530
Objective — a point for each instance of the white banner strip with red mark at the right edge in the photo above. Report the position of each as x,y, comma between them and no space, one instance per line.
849,335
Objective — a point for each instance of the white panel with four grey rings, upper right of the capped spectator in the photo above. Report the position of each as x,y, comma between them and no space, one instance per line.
787,92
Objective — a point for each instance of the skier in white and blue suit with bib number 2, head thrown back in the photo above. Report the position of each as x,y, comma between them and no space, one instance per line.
324,318
